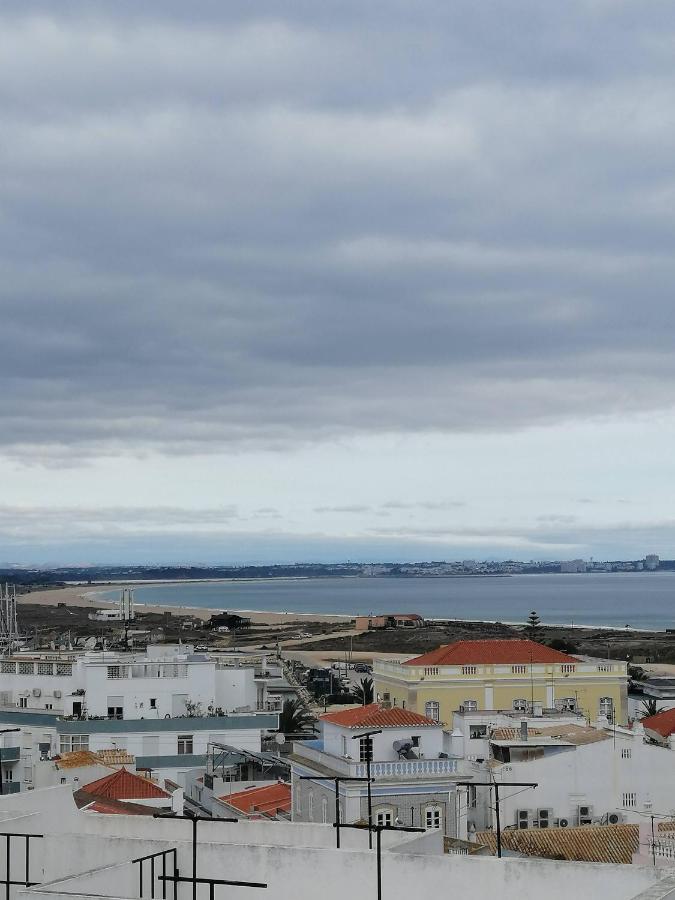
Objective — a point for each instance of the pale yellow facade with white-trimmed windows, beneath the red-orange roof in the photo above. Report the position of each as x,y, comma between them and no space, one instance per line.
592,688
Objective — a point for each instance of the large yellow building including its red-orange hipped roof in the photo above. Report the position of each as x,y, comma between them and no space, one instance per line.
514,675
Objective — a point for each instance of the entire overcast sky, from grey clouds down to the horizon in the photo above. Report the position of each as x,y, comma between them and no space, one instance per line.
316,280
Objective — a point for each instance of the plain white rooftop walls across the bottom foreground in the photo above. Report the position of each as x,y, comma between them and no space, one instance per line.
78,856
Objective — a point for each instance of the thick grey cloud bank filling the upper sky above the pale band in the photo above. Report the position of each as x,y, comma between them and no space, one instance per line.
269,225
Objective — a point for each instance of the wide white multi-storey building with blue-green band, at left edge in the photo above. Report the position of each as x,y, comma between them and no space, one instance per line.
162,707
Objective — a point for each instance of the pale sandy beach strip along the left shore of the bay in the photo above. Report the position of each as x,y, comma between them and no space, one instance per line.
84,596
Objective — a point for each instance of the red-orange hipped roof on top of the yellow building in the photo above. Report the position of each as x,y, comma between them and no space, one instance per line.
517,650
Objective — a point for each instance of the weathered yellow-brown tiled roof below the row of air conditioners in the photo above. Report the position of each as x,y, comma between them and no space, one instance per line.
588,843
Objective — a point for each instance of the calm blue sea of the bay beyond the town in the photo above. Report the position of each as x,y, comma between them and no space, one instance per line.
640,600
